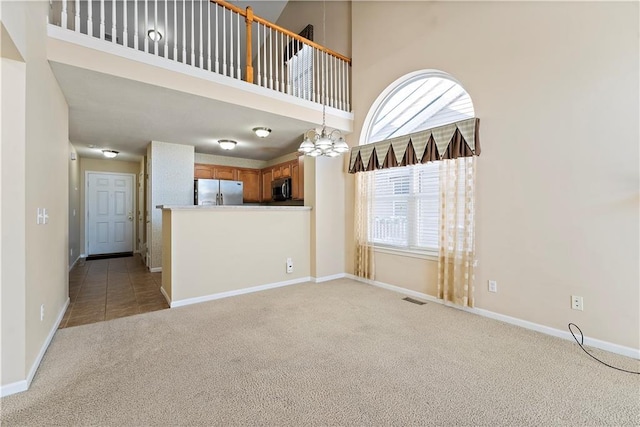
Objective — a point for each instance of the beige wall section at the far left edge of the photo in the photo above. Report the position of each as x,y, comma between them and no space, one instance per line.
12,215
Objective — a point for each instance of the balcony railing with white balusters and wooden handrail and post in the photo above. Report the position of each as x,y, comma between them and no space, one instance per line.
219,37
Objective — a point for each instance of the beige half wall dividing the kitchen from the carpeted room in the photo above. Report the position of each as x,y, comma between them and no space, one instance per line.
223,249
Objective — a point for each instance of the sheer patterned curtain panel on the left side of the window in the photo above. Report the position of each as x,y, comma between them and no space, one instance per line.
364,265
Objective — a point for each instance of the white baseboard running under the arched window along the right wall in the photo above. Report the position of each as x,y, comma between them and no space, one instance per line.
591,342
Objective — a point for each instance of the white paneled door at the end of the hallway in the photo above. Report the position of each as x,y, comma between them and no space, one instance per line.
109,213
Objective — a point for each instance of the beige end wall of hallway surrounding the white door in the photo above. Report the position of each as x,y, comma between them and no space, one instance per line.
103,165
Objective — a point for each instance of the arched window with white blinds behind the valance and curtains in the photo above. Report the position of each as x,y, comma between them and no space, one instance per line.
404,208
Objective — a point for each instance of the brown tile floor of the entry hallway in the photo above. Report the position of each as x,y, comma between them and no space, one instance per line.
106,289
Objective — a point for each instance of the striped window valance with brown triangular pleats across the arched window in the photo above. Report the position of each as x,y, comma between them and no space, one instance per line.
450,141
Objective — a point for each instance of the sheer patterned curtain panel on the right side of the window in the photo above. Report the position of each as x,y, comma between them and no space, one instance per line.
457,231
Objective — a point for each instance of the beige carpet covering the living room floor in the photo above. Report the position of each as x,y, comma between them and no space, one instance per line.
336,353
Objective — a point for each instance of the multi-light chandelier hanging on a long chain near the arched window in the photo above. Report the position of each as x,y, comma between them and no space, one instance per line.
326,143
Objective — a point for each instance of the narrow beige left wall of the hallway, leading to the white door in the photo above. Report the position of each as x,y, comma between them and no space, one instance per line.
76,210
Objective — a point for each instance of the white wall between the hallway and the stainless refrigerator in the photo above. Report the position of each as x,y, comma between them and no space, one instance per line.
171,182
